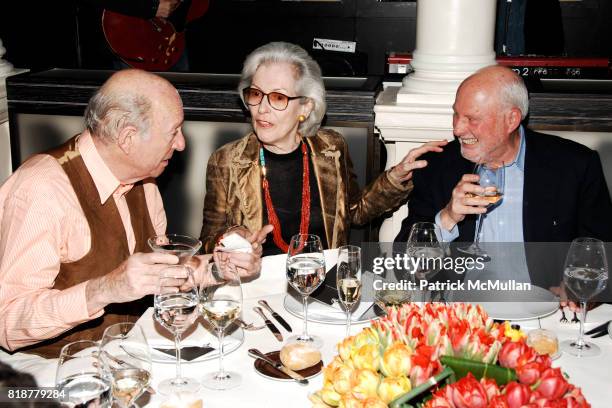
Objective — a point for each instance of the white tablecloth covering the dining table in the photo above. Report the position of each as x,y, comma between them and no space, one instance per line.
591,374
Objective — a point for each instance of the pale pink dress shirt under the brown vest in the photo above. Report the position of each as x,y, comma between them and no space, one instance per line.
43,225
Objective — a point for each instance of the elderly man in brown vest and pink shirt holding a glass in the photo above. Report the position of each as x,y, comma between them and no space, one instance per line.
74,222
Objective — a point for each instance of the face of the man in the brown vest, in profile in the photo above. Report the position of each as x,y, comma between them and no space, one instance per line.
152,151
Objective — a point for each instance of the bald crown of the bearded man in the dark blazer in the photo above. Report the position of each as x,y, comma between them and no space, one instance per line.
498,85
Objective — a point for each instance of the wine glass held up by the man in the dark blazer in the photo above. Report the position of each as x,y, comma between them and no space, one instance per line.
492,179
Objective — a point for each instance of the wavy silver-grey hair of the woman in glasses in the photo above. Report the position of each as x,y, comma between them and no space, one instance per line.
309,82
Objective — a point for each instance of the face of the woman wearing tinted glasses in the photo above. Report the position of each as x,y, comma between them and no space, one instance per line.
276,127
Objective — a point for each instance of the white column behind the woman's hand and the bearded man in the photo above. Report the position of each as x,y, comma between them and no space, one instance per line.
454,39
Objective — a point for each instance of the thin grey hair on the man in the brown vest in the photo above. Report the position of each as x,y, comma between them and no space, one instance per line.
106,114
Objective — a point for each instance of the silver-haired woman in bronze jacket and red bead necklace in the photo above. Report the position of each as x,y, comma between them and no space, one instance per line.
288,172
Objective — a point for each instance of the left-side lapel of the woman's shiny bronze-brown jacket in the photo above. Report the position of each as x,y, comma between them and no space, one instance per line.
247,173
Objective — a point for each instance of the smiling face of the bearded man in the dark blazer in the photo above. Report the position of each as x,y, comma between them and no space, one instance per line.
478,122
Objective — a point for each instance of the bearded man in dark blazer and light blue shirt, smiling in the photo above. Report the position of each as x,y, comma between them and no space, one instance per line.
555,190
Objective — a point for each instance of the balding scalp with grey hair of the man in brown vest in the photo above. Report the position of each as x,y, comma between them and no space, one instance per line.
125,99
